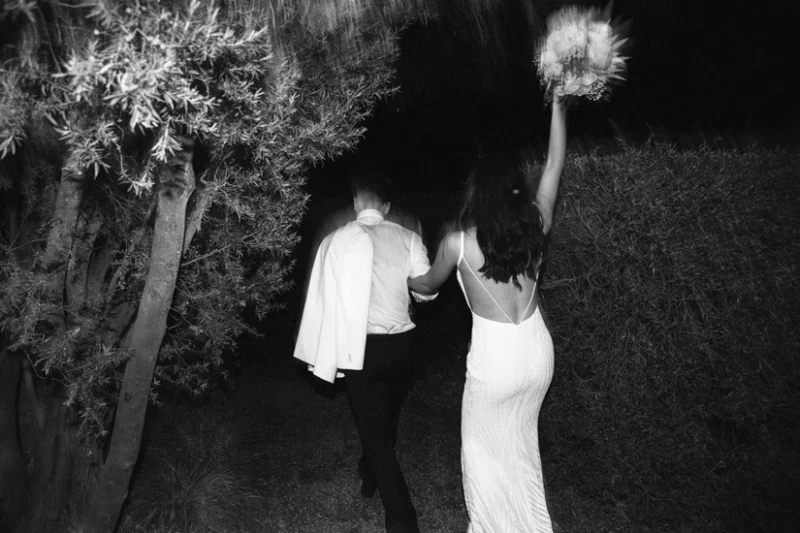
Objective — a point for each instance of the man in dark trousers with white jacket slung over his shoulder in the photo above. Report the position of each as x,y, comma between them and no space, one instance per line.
377,378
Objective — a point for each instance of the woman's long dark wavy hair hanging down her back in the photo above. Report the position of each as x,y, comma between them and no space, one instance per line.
499,205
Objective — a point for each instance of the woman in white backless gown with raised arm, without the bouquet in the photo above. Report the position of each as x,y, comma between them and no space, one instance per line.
497,251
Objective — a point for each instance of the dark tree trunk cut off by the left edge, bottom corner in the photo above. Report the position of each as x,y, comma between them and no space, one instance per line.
13,478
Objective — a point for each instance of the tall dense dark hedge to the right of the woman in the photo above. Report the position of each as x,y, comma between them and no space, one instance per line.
671,293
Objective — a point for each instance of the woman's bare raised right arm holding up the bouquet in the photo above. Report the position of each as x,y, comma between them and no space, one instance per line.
556,152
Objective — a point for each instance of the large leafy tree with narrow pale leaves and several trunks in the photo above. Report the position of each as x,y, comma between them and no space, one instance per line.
153,158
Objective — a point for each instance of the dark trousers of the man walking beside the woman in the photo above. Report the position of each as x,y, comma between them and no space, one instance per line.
377,393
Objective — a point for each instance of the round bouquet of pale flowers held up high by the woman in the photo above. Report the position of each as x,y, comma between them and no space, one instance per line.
580,54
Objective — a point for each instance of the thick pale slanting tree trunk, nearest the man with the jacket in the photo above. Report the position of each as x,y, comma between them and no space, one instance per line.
175,186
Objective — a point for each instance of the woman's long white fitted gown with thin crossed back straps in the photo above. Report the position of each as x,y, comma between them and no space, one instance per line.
509,369
